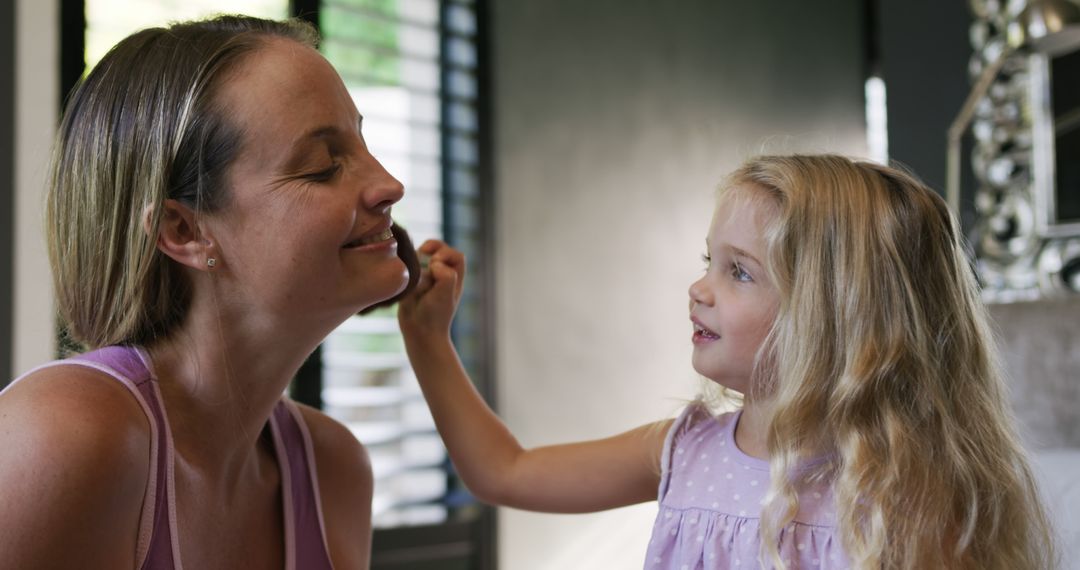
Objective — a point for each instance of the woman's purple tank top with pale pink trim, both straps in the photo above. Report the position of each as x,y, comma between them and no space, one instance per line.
158,547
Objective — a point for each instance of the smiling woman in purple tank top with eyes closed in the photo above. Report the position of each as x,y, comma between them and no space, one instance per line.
213,214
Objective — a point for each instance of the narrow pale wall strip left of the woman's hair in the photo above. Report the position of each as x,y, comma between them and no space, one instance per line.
37,100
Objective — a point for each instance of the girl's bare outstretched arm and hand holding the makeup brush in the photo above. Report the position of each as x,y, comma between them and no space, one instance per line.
565,479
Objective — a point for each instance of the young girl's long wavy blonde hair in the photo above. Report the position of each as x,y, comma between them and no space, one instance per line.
883,362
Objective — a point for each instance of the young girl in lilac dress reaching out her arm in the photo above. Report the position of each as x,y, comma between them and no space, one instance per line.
874,432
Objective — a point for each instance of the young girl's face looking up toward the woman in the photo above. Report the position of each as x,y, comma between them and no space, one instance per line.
734,305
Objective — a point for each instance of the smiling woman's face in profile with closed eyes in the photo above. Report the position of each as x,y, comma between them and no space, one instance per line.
305,230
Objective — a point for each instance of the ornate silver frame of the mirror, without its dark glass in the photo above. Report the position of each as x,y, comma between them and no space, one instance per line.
1024,251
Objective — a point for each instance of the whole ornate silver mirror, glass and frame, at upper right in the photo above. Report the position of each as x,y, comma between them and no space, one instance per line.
1024,113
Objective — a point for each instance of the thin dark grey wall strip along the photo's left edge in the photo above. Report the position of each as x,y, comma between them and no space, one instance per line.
7,183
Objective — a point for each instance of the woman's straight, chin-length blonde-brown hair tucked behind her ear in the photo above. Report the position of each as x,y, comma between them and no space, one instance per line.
142,128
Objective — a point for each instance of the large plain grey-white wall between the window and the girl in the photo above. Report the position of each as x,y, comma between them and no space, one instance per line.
615,123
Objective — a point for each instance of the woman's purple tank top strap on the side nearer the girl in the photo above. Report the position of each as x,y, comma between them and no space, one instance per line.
305,530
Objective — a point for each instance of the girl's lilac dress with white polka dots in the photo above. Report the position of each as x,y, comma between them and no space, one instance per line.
711,499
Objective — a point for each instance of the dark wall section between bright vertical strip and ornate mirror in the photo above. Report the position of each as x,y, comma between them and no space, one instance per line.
924,51
